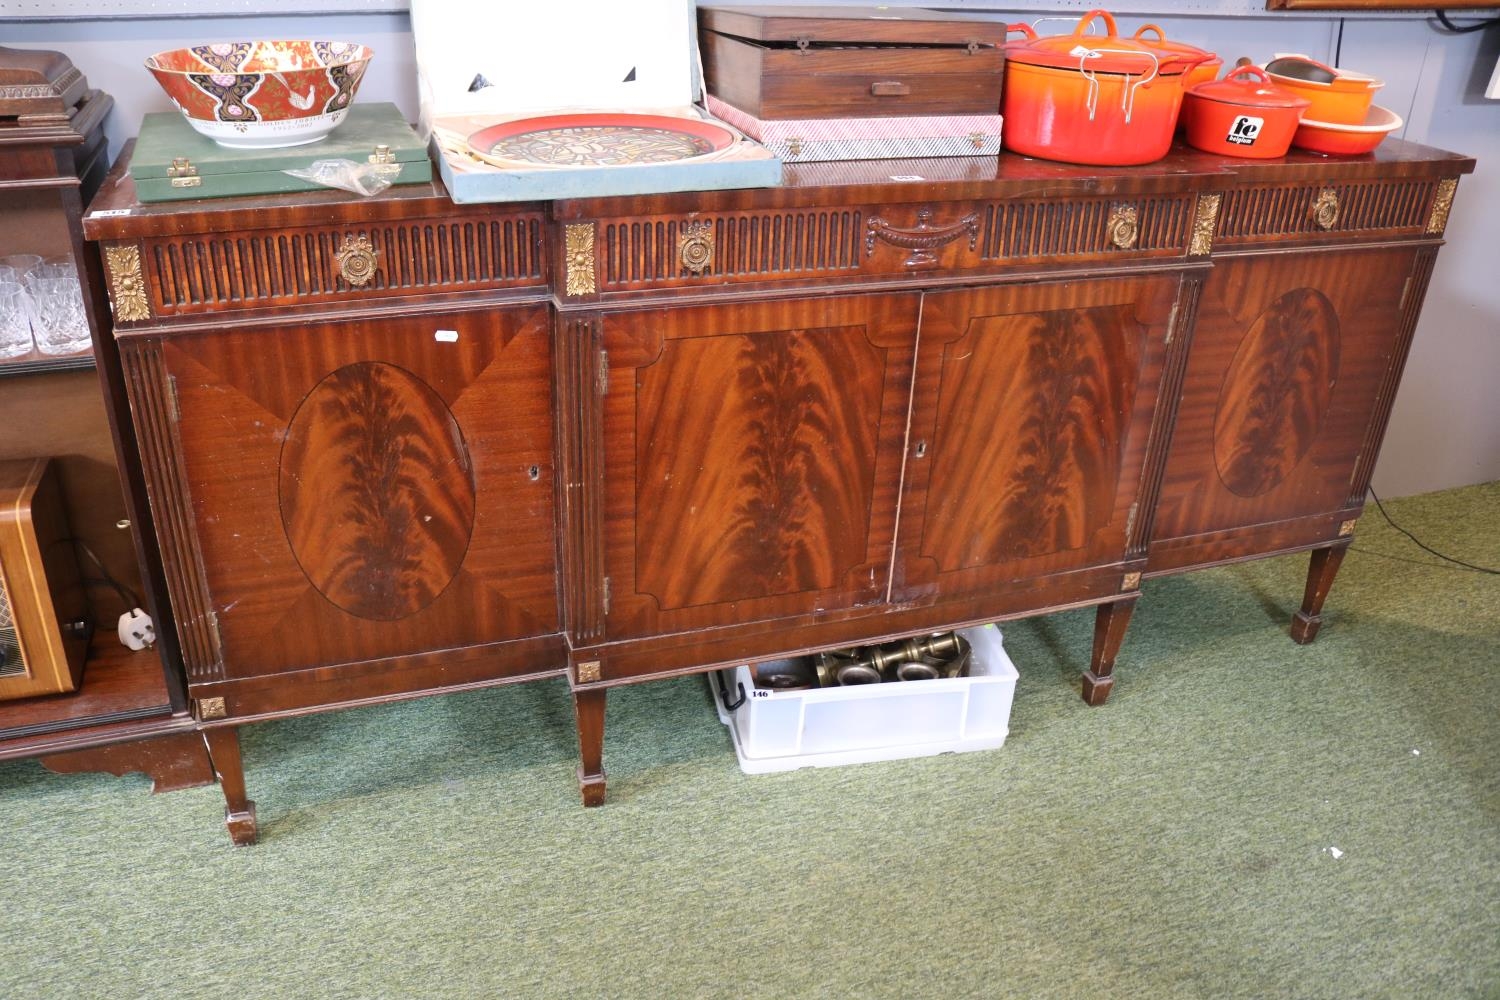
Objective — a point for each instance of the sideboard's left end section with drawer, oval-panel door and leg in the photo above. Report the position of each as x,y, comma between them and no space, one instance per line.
347,431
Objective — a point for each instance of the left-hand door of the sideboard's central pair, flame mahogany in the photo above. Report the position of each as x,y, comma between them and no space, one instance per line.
752,458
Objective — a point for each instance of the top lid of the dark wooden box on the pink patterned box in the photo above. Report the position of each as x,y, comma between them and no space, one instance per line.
835,26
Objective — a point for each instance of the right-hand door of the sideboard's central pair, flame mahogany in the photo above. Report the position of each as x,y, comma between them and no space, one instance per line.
1030,431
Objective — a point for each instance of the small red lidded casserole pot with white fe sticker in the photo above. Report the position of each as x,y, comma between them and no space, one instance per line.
1244,115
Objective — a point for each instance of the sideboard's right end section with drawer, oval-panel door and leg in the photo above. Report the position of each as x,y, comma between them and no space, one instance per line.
1300,341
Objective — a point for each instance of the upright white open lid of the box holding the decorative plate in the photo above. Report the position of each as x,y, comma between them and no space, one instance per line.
517,59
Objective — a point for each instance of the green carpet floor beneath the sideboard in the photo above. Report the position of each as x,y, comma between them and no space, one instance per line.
1175,843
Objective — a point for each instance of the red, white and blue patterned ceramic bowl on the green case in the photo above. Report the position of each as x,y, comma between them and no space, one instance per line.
254,95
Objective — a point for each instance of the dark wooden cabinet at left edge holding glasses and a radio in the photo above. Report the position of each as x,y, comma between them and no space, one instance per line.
130,708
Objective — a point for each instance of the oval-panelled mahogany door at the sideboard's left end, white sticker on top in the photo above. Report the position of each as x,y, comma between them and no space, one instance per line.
367,490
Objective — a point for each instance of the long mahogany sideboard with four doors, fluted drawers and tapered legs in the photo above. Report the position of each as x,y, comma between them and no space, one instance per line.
400,446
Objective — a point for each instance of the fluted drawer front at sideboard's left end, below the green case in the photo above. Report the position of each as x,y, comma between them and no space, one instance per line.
250,271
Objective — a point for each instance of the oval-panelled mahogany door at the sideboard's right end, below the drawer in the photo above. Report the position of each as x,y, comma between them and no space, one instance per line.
1292,368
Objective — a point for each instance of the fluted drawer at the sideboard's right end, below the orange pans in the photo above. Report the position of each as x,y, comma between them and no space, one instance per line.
1334,211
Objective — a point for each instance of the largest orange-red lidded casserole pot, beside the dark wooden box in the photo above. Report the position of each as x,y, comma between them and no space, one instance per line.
1091,100
